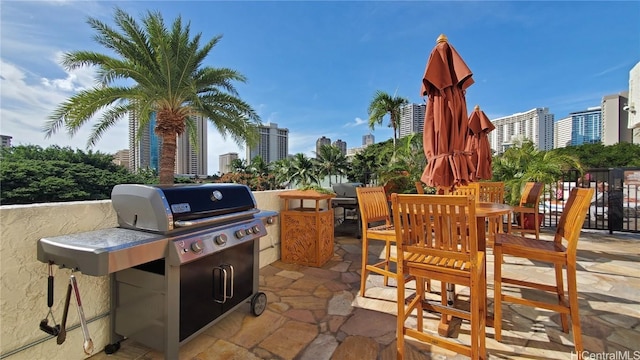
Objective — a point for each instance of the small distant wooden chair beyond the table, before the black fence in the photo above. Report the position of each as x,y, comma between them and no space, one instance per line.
528,208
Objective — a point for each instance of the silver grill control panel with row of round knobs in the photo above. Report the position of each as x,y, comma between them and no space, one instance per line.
202,243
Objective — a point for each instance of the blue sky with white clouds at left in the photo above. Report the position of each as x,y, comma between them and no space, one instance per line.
314,66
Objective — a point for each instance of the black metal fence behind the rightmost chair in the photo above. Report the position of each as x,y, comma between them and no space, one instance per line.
615,205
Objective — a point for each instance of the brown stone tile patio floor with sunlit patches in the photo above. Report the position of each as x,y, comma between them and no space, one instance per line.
316,313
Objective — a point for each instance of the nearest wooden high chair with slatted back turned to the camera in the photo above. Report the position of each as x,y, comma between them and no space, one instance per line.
437,239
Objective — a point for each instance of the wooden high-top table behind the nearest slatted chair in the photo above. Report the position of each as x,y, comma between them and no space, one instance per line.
484,210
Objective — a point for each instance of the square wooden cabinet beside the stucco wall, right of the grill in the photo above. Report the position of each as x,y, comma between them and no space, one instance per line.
306,228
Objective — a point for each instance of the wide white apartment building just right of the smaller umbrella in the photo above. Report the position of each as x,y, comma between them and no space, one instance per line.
535,125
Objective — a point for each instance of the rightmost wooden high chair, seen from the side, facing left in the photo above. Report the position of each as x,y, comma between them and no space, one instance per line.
561,252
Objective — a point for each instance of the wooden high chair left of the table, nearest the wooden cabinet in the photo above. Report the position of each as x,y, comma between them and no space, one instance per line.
376,225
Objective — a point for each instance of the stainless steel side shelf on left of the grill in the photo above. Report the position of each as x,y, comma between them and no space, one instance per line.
102,252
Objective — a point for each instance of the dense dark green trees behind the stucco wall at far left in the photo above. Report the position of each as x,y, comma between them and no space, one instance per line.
31,174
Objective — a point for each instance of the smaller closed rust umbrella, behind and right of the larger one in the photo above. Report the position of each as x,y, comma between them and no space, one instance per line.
478,143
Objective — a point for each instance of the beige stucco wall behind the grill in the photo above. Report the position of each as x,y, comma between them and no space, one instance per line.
23,284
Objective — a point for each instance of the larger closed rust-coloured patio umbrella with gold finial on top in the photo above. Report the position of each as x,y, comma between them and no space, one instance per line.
445,80
